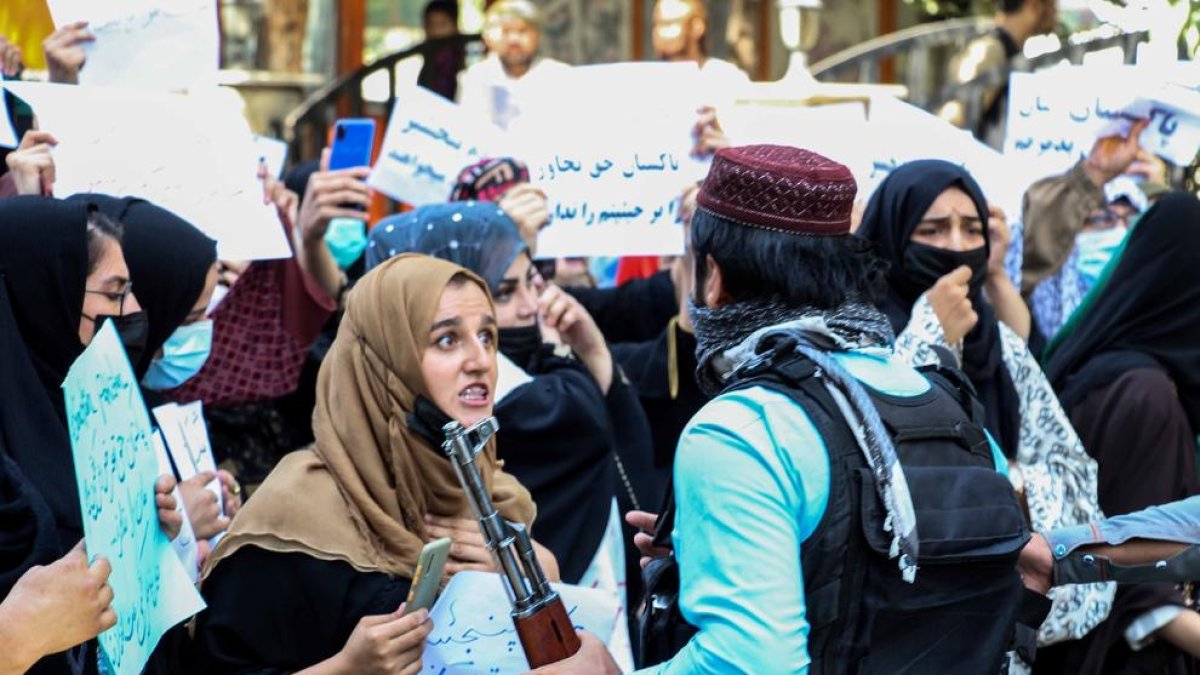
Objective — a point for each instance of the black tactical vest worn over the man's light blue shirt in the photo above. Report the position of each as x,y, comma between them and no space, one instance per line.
959,616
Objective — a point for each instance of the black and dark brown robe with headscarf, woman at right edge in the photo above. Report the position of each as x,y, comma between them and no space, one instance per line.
1129,373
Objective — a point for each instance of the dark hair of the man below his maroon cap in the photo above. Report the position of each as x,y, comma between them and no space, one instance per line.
802,271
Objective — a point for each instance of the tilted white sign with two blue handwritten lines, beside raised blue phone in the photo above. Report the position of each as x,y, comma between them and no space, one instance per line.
428,144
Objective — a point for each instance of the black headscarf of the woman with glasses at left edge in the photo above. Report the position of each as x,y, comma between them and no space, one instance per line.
44,270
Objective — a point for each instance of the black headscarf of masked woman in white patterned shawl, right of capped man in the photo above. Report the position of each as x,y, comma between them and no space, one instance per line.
892,217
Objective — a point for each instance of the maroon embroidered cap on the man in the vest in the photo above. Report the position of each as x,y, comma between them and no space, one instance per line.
781,189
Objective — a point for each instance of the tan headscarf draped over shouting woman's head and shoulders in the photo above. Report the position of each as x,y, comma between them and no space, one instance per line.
361,493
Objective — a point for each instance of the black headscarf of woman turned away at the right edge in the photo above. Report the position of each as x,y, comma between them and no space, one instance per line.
1145,314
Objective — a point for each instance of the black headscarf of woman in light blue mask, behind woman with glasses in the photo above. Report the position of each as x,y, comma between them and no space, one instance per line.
169,260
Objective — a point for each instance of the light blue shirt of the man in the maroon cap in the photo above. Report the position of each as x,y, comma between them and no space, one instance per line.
752,481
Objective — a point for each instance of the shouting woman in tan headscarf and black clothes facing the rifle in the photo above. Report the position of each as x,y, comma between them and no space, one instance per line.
316,566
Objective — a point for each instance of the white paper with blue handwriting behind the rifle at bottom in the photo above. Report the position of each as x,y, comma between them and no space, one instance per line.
473,632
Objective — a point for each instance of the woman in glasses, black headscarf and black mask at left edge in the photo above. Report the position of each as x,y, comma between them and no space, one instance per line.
63,276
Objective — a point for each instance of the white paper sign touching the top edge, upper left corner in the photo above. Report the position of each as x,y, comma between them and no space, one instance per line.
147,44
